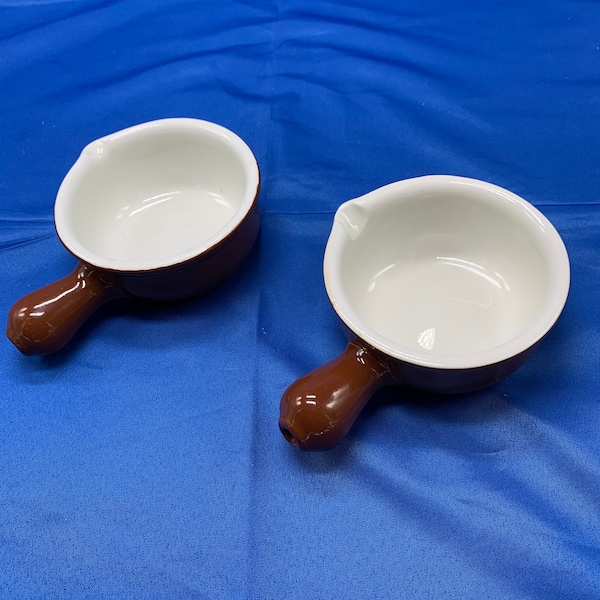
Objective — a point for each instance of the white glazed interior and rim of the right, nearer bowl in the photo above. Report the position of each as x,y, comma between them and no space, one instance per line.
443,269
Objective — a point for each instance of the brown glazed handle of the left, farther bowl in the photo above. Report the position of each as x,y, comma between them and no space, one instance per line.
44,321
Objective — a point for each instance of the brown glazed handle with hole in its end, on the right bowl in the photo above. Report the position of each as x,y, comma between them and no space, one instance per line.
318,410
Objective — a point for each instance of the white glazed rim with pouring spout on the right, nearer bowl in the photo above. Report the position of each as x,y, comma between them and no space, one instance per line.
548,240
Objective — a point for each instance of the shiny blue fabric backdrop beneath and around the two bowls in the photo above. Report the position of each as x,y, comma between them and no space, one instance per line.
145,460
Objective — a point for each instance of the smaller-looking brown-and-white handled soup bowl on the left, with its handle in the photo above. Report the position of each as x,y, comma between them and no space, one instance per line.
164,210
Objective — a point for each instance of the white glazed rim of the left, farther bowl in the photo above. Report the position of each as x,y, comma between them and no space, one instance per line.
85,162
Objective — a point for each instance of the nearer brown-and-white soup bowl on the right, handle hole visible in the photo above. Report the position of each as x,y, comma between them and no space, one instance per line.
444,284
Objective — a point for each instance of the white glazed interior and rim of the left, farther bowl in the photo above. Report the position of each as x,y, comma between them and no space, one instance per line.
155,194
